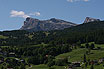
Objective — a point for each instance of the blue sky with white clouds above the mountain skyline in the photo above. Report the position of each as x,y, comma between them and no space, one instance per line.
14,12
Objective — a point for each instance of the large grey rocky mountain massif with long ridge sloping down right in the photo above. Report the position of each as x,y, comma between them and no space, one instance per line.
33,24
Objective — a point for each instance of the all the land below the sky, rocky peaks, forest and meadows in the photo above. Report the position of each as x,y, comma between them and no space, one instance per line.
53,44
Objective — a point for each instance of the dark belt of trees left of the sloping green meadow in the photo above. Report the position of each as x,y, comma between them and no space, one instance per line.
37,54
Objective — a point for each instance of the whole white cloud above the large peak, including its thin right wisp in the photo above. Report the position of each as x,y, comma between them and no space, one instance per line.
22,14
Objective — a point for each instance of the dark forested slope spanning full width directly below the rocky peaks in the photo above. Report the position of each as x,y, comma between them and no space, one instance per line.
84,33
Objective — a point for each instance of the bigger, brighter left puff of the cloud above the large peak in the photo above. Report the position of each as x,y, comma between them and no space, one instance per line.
18,14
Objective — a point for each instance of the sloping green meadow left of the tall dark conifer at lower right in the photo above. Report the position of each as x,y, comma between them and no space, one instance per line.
75,55
